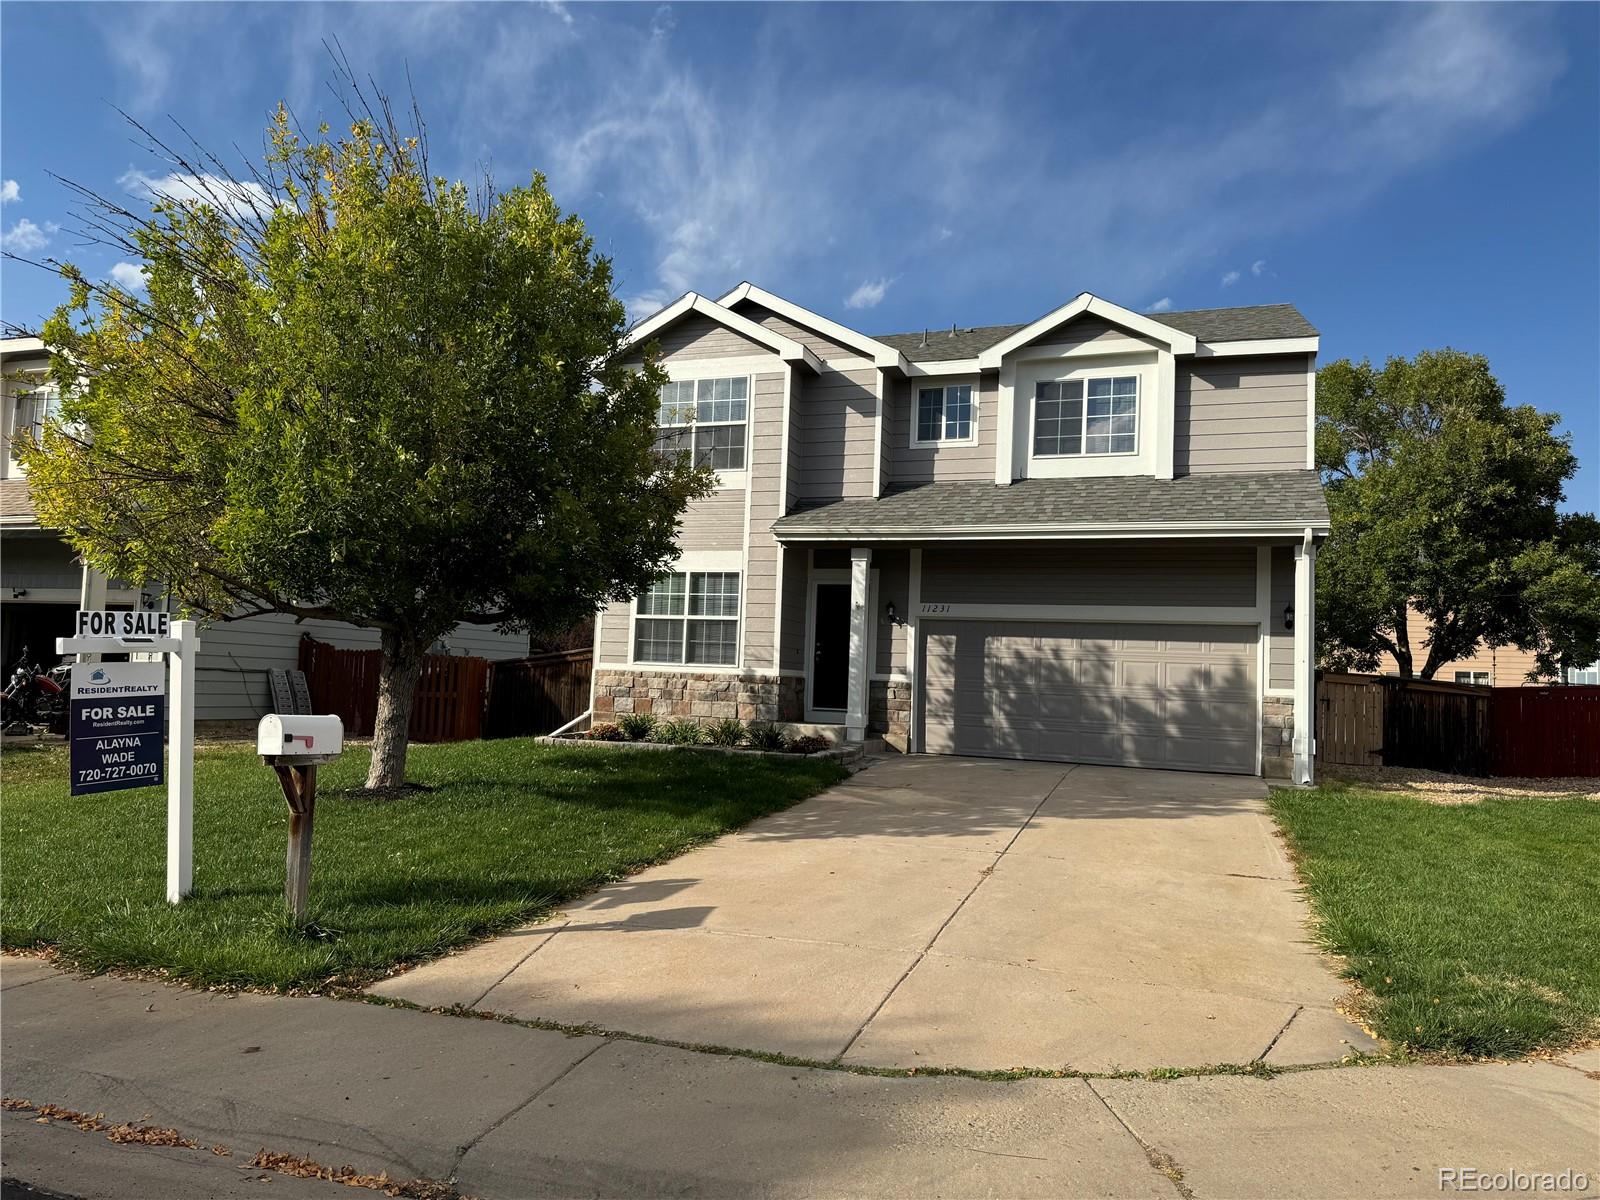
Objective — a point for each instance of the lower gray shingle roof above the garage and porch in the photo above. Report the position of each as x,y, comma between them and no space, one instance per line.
1118,502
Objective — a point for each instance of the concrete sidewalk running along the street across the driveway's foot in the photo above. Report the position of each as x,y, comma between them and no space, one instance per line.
506,1111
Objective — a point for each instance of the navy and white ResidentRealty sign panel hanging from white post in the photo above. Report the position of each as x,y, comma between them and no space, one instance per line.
118,716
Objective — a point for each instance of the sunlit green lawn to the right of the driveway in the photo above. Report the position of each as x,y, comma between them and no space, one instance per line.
1474,929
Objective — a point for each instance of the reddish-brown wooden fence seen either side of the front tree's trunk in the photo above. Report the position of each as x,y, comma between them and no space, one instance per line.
449,705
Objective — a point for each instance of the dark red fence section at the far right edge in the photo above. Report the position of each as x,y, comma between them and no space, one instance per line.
1545,732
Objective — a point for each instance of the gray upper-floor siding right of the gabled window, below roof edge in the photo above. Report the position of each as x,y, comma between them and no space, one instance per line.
1241,415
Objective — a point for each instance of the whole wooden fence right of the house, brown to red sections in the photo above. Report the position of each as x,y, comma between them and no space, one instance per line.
1377,721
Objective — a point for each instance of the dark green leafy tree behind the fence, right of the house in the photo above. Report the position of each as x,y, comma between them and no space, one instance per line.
1447,498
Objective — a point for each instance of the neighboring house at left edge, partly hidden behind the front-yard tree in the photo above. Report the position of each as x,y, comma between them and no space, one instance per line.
42,583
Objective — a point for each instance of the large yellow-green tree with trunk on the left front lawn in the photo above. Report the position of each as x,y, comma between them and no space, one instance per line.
356,391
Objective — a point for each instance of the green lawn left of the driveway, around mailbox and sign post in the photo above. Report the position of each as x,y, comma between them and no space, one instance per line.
511,830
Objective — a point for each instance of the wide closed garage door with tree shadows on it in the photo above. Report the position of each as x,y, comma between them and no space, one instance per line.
1134,695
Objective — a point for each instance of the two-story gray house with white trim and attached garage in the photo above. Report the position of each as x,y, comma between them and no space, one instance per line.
1087,538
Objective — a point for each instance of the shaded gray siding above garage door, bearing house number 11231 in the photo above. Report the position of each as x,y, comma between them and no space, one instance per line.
1095,574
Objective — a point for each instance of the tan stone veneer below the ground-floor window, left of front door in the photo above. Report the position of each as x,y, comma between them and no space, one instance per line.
674,695
